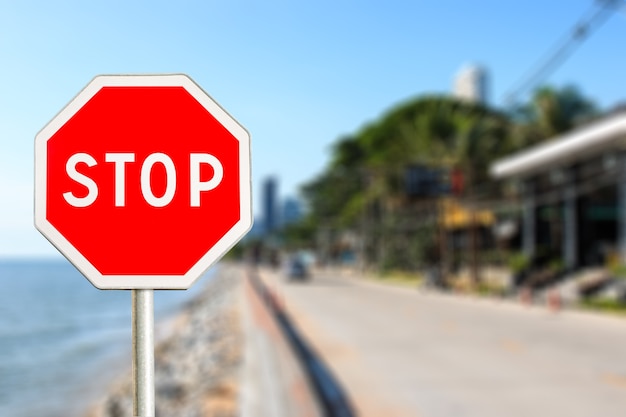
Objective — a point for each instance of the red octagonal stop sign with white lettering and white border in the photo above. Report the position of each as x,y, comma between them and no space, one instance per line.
143,182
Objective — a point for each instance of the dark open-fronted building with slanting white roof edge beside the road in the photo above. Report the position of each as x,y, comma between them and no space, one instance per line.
574,194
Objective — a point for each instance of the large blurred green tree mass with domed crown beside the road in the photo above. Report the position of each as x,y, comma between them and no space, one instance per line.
363,186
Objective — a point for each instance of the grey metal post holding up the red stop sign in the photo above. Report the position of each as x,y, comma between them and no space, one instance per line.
143,353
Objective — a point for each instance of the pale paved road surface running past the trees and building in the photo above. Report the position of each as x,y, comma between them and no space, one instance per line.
401,352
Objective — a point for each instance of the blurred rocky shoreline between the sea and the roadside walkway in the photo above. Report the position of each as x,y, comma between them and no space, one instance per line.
198,363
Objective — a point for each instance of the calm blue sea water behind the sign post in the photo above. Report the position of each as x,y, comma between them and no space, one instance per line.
62,341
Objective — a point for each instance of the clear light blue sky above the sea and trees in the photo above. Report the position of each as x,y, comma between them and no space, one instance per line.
296,74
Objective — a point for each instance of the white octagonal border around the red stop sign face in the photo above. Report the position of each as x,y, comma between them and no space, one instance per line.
143,281
